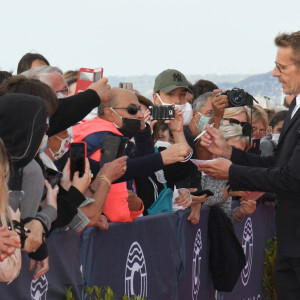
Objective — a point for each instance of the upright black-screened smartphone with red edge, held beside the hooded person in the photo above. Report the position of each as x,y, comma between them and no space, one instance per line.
77,158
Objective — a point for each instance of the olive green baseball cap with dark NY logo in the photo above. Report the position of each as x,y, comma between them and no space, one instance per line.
170,80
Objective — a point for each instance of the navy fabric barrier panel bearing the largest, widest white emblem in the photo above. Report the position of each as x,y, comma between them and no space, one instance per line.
140,258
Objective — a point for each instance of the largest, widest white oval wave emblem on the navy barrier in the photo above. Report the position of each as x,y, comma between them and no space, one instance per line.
135,272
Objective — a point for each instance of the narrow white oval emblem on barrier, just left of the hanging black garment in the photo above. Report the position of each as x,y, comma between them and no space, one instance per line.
196,265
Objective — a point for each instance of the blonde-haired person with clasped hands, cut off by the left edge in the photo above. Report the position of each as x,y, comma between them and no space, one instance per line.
10,253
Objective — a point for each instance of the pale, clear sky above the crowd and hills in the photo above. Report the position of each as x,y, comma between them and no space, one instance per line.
138,37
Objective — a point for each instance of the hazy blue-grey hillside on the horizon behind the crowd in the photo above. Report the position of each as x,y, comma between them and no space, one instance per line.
256,85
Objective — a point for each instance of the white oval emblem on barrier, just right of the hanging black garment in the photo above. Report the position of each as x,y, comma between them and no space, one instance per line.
247,245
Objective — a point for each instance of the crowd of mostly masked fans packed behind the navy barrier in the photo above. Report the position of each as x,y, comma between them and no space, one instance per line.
40,116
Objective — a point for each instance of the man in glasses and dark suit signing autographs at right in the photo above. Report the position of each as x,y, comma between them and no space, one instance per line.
279,173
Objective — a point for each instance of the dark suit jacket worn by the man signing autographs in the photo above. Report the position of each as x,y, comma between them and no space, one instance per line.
279,174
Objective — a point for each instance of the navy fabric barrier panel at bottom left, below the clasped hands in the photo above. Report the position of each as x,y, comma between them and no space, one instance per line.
64,263
